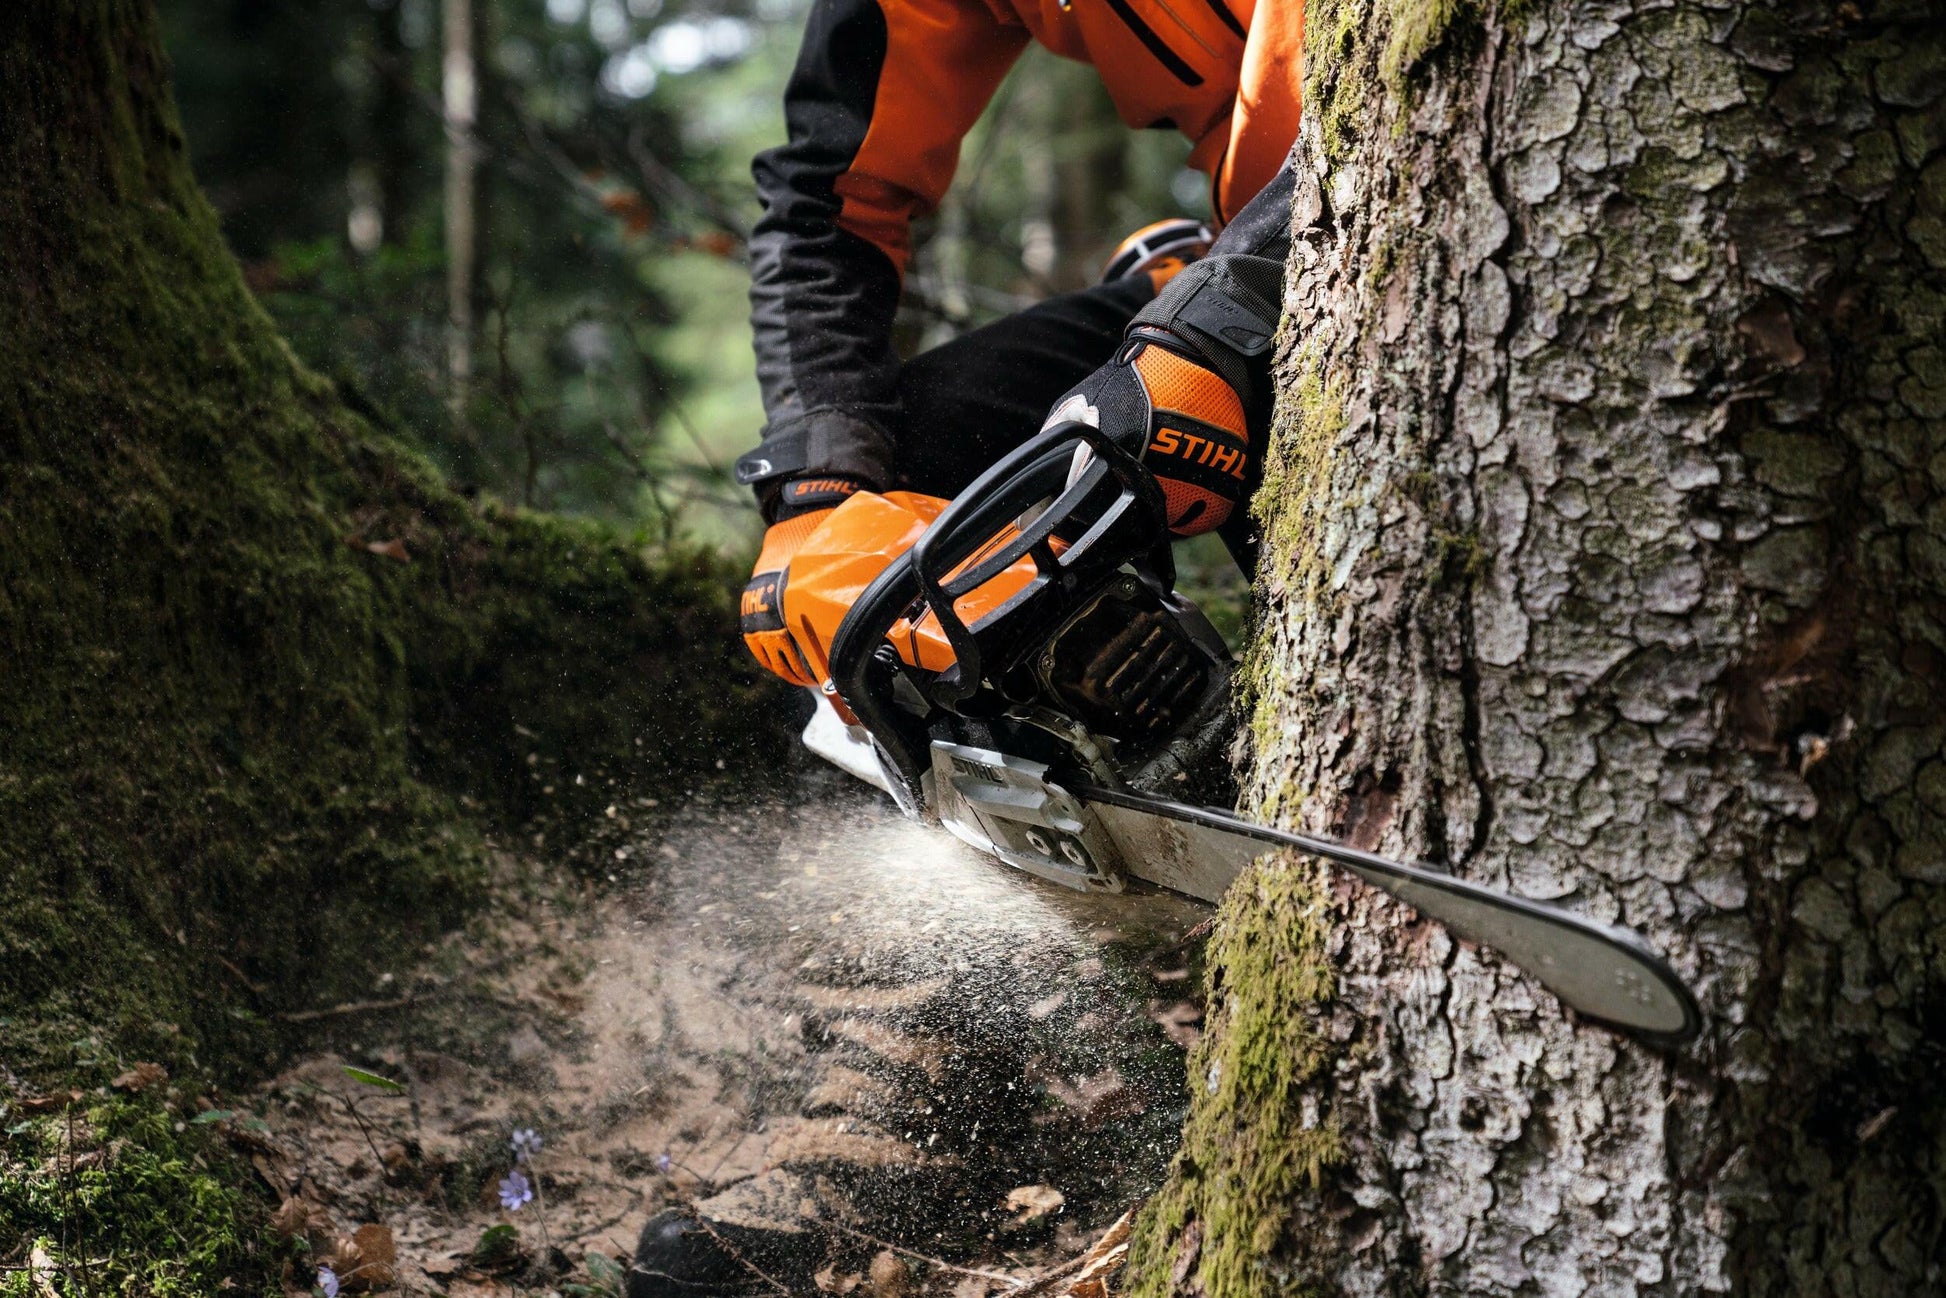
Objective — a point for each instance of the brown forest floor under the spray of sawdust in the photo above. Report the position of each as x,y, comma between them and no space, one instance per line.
953,1077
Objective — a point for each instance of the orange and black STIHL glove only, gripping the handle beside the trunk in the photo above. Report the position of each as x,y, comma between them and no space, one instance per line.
1165,402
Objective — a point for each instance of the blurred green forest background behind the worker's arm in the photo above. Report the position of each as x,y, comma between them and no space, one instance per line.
513,231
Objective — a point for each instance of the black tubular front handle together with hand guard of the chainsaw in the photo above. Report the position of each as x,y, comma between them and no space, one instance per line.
1108,517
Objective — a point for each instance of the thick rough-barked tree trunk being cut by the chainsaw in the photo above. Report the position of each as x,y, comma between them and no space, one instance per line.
1606,559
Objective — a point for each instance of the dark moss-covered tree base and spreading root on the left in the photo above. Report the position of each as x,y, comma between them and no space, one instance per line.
254,649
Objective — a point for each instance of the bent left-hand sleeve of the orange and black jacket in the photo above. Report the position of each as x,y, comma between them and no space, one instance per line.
877,108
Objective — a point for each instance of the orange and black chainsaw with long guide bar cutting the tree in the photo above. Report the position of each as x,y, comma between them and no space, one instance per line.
1019,667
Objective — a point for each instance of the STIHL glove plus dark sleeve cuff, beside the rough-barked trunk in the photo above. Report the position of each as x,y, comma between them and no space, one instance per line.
1180,392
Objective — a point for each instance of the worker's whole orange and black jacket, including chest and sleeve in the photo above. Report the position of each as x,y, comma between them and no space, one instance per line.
877,108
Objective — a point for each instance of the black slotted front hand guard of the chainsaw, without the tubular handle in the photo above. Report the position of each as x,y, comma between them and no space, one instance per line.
999,497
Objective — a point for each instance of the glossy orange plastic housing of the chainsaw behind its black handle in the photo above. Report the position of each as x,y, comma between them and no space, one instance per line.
851,548
